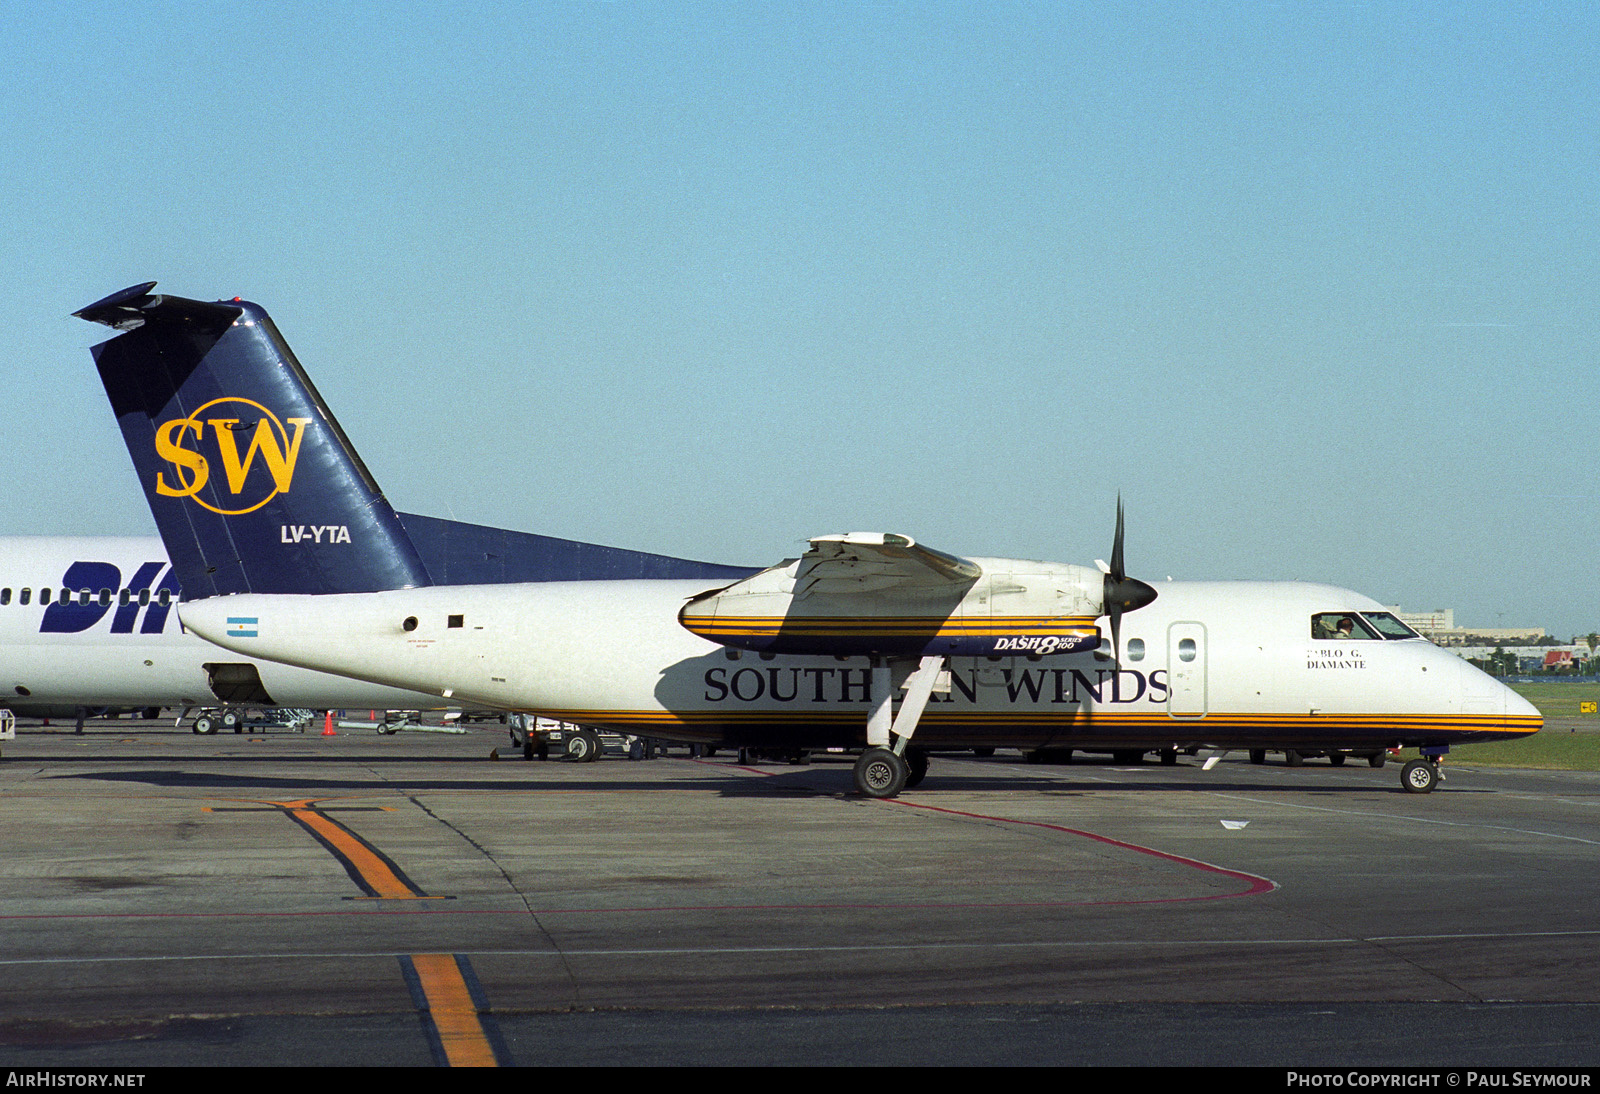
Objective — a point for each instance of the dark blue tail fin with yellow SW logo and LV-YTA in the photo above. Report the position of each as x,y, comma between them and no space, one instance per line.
255,487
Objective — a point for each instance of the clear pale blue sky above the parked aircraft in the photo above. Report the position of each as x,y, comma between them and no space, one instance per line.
1314,285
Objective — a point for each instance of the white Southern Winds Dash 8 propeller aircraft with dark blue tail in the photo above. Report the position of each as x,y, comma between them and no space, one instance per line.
294,556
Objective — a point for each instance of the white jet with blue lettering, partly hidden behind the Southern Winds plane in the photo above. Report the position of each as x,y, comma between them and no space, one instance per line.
87,623
